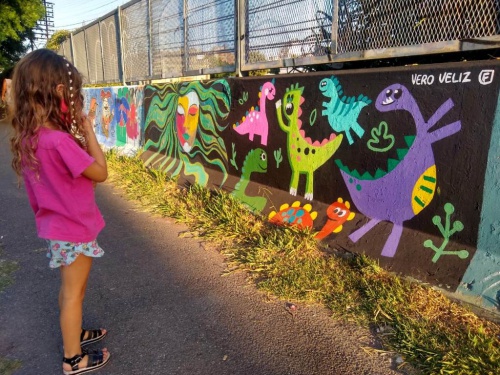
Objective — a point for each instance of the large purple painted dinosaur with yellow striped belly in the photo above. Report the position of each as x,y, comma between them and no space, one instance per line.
409,184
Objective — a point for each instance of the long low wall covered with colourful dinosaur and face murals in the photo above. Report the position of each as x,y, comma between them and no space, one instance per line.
400,164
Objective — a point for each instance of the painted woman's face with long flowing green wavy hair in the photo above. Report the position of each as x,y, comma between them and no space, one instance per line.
183,125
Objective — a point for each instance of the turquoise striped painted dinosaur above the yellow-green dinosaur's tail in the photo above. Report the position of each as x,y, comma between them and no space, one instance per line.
342,112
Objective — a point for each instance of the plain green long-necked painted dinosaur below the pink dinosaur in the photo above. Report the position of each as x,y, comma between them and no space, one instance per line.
255,161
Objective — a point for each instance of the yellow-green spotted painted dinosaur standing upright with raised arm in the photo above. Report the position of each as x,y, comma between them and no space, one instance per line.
304,155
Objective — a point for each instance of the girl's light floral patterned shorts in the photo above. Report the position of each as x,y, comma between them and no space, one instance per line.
63,253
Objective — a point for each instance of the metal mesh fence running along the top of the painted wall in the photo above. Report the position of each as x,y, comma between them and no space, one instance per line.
154,39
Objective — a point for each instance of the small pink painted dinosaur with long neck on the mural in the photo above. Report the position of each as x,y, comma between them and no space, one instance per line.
255,122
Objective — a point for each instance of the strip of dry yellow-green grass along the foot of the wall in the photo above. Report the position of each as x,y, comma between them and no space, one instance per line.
431,332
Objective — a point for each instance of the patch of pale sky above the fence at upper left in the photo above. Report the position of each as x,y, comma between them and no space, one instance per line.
72,14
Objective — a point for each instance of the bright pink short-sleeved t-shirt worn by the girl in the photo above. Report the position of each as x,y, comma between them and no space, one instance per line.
62,198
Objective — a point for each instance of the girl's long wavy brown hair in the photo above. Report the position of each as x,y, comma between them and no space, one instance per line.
37,103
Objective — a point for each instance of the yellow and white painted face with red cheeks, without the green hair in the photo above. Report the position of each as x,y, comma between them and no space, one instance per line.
188,115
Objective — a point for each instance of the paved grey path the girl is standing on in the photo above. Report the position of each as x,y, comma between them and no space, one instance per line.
165,303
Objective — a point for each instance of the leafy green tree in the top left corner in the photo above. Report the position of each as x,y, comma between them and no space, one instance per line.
17,18
